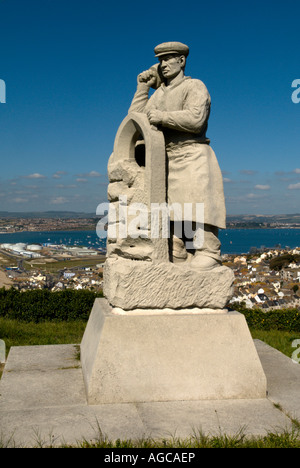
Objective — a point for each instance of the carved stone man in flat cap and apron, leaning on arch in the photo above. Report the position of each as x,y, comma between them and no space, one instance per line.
180,107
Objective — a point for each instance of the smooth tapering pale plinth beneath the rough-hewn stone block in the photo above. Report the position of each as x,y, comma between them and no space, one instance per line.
168,357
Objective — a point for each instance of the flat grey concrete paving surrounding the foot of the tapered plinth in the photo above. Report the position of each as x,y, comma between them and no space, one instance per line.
43,402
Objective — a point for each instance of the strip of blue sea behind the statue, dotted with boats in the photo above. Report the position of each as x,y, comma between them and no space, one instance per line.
234,241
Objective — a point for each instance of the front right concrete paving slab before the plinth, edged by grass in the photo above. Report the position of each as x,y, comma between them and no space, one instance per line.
184,418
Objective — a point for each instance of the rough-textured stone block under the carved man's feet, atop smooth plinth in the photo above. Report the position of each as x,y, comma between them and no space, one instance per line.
140,284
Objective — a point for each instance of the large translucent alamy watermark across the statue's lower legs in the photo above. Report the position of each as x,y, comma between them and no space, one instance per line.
136,220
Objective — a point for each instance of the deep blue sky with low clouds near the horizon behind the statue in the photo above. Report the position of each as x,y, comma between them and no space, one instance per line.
70,70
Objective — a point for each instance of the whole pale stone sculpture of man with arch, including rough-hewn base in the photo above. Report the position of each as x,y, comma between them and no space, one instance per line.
162,158
